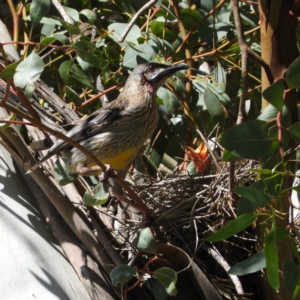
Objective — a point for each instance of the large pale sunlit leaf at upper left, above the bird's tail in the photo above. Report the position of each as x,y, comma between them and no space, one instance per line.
29,70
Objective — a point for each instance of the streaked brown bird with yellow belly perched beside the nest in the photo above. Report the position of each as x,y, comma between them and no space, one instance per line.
118,130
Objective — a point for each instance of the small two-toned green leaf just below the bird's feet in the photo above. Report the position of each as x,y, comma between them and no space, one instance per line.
99,196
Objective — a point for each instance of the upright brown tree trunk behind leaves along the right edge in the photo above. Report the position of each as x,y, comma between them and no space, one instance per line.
279,50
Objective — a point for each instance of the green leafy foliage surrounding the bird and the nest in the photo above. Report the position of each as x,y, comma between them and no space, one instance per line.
70,56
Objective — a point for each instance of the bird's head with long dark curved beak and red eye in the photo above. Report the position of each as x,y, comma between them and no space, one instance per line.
152,75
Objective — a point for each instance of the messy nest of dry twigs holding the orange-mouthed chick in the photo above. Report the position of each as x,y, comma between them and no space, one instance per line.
187,211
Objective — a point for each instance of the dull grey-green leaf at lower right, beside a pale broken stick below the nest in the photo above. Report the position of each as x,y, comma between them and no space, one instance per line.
250,265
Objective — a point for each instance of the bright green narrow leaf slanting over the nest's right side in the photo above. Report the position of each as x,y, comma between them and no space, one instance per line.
233,227
